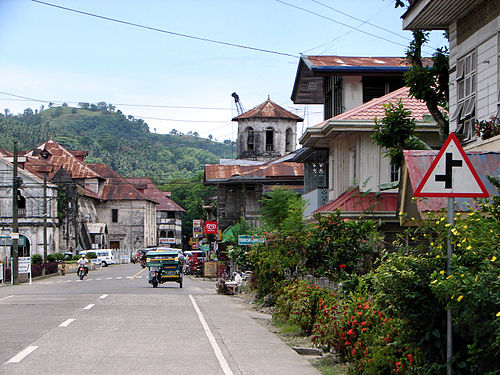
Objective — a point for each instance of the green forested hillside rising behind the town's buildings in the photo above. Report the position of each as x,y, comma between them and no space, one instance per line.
123,142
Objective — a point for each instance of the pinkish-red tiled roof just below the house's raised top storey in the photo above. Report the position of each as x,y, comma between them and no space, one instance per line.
374,108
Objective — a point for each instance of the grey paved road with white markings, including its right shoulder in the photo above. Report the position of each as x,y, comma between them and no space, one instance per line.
114,322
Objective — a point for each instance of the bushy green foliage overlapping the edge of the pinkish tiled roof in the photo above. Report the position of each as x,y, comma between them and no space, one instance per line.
396,132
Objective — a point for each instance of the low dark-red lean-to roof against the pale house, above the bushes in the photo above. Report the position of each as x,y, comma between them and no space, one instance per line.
355,201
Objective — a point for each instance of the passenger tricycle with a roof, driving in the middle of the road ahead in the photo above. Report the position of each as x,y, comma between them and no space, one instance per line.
164,265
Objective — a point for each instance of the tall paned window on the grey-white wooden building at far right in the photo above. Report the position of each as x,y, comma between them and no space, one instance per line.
464,114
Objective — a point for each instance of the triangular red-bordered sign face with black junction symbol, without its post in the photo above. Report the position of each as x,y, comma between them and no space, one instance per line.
451,174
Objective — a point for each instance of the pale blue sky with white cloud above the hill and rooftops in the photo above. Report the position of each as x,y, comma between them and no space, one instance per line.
55,55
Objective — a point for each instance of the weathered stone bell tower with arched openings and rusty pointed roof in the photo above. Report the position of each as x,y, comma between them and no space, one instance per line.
266,132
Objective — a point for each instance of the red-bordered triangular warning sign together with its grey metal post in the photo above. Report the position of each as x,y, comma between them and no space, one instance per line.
451,175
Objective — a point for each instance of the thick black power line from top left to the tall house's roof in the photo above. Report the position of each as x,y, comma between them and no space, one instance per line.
165,31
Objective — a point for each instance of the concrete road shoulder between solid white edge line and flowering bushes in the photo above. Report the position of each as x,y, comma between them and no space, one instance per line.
249,347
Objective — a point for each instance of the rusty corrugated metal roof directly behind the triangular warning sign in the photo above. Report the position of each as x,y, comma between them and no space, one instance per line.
419,161
